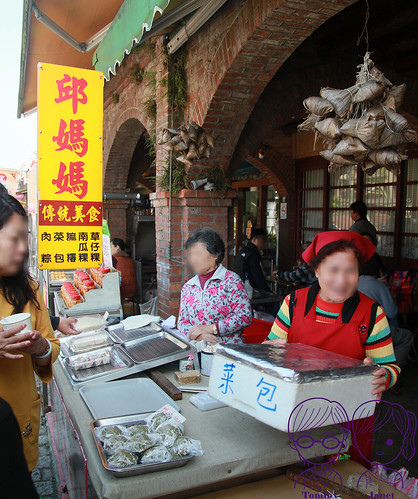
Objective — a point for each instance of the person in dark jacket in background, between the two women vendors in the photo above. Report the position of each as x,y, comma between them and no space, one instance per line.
248,260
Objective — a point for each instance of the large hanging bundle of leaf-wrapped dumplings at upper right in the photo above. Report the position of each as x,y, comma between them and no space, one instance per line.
365,128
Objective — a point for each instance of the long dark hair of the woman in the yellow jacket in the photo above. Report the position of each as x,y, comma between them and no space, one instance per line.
18,289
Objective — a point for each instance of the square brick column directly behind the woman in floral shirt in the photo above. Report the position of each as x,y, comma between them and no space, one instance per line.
190,210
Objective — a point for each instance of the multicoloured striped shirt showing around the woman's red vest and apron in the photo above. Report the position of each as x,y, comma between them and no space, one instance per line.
378,345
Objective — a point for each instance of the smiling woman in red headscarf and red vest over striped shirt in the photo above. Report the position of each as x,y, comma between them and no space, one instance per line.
334,316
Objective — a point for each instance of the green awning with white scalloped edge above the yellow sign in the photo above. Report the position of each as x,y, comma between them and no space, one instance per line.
127,28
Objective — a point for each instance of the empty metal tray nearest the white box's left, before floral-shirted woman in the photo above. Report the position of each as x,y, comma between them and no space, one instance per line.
152,347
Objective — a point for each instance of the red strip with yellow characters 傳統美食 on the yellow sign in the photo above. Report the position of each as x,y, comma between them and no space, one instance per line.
70,213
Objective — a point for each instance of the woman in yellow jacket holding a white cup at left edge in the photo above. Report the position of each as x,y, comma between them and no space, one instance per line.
27,353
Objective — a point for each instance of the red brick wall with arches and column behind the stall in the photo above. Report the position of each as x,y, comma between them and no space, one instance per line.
230,61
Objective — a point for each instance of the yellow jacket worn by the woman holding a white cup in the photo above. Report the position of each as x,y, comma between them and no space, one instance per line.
17,379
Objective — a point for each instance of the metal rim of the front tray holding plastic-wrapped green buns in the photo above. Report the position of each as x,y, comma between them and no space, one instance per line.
139,468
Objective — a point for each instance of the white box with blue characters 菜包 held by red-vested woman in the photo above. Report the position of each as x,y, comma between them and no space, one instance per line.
291,387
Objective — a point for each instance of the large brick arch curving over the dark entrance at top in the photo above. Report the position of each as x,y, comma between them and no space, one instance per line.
259,38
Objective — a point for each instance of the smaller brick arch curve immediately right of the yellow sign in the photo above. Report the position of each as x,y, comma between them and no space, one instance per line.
120,154
